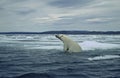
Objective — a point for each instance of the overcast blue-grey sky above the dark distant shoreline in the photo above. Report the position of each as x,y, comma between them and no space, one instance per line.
47,15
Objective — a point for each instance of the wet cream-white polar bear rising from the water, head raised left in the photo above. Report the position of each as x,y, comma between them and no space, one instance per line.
69,45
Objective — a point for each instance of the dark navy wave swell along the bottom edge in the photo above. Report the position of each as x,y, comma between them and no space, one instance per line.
49,75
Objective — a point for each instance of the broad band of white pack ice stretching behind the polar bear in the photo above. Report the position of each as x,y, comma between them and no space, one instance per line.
87,42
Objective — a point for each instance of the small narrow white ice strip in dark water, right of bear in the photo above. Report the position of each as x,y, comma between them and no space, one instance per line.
104,57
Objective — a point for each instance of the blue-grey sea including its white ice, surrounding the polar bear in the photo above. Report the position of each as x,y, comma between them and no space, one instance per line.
42,56
